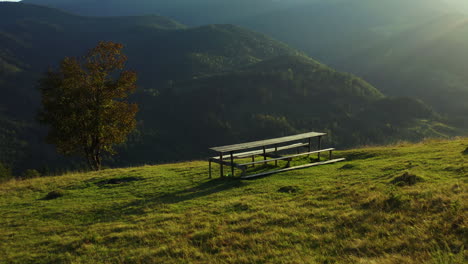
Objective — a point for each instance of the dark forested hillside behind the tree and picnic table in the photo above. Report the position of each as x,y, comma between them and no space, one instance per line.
215,84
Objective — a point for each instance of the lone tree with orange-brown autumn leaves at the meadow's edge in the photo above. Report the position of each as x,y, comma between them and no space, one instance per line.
84,103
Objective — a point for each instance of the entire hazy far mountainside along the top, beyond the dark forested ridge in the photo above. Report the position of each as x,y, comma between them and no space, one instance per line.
406,48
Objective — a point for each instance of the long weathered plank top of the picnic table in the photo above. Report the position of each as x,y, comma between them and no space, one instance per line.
266,142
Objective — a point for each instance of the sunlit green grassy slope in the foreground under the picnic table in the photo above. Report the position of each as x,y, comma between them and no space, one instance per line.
348,212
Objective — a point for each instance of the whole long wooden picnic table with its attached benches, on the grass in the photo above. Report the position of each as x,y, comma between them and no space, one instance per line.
270,149
